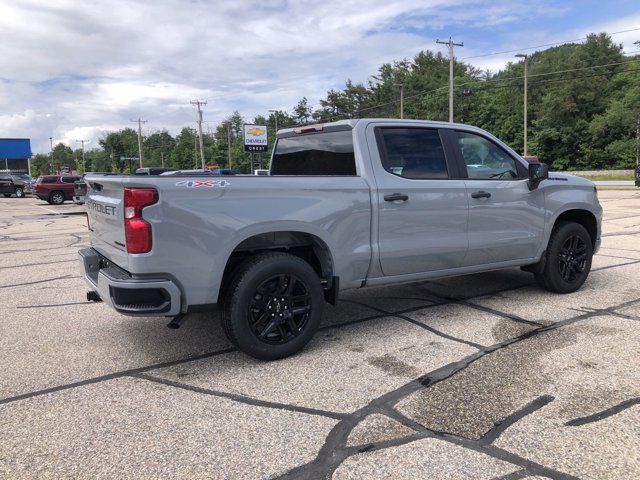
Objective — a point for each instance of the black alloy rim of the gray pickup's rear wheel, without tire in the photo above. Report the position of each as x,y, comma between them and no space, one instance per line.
280,309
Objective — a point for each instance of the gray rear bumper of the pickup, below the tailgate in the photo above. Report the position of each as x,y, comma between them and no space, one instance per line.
126,293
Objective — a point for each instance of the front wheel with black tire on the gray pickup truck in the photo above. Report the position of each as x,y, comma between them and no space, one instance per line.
568,259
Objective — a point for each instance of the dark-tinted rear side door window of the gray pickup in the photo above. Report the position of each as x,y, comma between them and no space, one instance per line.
415,153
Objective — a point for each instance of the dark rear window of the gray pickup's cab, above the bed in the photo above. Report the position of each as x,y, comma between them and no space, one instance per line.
329,153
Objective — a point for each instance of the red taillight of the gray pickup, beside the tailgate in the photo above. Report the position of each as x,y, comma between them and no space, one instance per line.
137,230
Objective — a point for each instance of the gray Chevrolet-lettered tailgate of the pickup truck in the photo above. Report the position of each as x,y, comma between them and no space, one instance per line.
104,201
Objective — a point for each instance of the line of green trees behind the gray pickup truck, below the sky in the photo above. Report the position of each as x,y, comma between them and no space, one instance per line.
584,111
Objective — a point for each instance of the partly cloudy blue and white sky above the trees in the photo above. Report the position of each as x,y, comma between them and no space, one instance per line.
73,70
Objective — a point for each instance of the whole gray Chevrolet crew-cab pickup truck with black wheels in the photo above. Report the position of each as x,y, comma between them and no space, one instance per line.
346,205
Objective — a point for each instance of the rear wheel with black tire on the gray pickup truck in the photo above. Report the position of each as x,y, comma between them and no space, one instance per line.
273,306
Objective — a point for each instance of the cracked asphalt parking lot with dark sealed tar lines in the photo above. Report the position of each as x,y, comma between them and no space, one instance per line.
479,377
